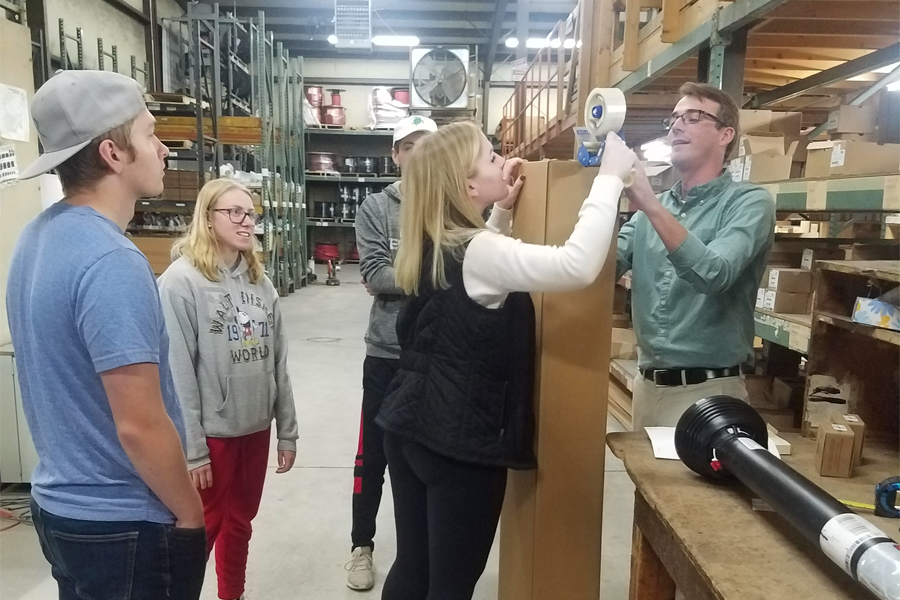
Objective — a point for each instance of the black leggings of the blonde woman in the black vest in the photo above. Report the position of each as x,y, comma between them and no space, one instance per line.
447,513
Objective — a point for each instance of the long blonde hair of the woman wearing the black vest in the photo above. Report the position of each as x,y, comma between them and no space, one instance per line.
436,206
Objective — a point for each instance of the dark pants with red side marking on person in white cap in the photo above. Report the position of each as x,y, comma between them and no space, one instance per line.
368,474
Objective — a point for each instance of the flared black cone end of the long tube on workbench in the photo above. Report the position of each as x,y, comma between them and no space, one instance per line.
704,424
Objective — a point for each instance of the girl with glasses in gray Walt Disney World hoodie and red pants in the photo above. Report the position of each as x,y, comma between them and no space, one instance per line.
229,362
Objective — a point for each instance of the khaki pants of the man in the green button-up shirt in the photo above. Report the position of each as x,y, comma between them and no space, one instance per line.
662,406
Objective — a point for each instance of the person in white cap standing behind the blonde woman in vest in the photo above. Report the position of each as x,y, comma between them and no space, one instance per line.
378,239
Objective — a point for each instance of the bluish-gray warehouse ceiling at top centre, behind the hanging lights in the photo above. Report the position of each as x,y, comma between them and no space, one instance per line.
303,26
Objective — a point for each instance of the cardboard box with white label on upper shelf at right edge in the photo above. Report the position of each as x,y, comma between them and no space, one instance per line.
843,157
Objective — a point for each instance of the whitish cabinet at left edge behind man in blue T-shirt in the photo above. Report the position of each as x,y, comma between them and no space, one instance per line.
18,457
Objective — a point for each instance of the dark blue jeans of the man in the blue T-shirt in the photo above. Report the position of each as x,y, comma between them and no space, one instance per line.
113,560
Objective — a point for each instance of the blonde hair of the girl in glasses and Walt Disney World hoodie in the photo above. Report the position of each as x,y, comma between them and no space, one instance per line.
200,245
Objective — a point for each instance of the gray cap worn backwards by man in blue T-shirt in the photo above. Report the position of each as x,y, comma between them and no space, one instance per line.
74,107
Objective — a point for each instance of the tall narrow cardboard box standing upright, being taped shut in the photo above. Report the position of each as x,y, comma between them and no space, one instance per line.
550,529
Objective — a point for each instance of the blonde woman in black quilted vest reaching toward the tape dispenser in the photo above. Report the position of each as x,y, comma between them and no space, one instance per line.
459,412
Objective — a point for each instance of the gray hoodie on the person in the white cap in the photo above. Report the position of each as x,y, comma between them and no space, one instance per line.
378,239
